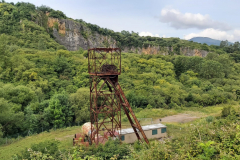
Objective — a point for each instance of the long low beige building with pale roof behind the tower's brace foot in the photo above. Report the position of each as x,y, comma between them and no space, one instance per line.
153,131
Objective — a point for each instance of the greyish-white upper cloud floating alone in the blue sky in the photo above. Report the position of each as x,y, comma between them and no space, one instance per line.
180,20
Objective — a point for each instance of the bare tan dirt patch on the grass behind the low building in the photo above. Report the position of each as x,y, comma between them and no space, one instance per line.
179,118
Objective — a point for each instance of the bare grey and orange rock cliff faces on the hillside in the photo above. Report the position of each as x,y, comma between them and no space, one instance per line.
74,35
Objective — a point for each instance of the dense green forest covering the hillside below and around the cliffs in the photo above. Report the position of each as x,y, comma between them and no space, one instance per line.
44,85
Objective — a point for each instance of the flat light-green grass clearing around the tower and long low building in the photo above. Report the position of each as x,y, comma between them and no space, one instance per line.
66,135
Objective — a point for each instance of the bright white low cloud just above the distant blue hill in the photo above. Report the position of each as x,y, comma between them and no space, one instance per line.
216,34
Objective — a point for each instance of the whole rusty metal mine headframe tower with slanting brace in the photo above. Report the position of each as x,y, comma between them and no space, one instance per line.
107,97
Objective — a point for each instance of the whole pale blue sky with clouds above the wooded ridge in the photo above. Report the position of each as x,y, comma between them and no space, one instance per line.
217,19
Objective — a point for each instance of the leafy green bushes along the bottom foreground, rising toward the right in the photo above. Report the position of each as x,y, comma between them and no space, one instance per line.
208,138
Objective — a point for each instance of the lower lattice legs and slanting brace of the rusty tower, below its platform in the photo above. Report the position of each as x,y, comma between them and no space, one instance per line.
106,100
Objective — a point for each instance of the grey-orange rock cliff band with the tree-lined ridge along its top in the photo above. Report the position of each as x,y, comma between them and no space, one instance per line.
75,34
